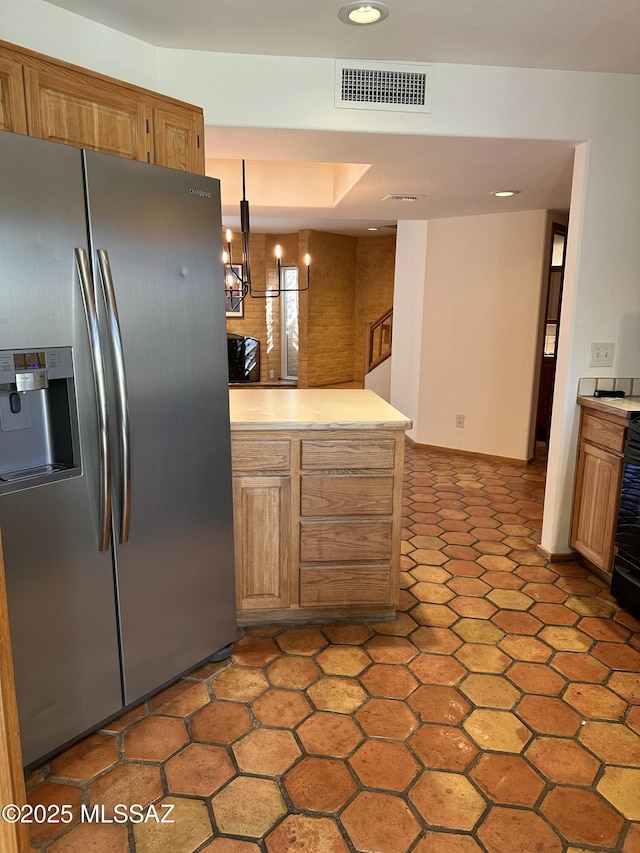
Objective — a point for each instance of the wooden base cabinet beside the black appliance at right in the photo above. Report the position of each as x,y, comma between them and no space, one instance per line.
597,486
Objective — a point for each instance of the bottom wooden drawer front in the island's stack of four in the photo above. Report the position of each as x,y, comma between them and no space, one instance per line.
341,585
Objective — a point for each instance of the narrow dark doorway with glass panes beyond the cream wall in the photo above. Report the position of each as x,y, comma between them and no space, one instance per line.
555,280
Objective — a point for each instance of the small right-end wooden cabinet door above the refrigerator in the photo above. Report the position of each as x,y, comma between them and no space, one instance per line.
178,139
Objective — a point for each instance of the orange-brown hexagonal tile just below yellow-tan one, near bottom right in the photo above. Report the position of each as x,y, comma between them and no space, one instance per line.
508,779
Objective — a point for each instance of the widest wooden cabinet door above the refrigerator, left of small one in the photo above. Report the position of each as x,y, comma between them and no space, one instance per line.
65,105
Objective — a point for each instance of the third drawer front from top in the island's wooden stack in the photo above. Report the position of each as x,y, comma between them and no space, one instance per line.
338,541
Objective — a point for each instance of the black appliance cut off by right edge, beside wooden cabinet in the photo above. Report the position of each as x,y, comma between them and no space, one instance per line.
625,581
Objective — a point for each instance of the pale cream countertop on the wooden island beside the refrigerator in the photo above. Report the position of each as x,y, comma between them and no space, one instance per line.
312,408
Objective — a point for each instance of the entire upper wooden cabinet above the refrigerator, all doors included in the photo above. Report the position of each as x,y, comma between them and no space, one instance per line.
64,103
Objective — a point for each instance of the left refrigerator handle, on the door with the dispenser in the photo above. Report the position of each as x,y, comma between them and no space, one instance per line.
93,331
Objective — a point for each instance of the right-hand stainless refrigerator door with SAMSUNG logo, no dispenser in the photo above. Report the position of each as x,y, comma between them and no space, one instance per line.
161,232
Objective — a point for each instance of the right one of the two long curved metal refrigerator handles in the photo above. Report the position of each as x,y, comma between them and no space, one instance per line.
117,354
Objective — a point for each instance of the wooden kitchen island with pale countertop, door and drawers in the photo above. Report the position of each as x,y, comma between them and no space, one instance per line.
317,480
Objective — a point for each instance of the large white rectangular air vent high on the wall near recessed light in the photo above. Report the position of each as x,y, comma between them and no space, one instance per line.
399,87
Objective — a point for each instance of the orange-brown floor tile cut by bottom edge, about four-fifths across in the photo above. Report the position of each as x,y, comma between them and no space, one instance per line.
533,834
